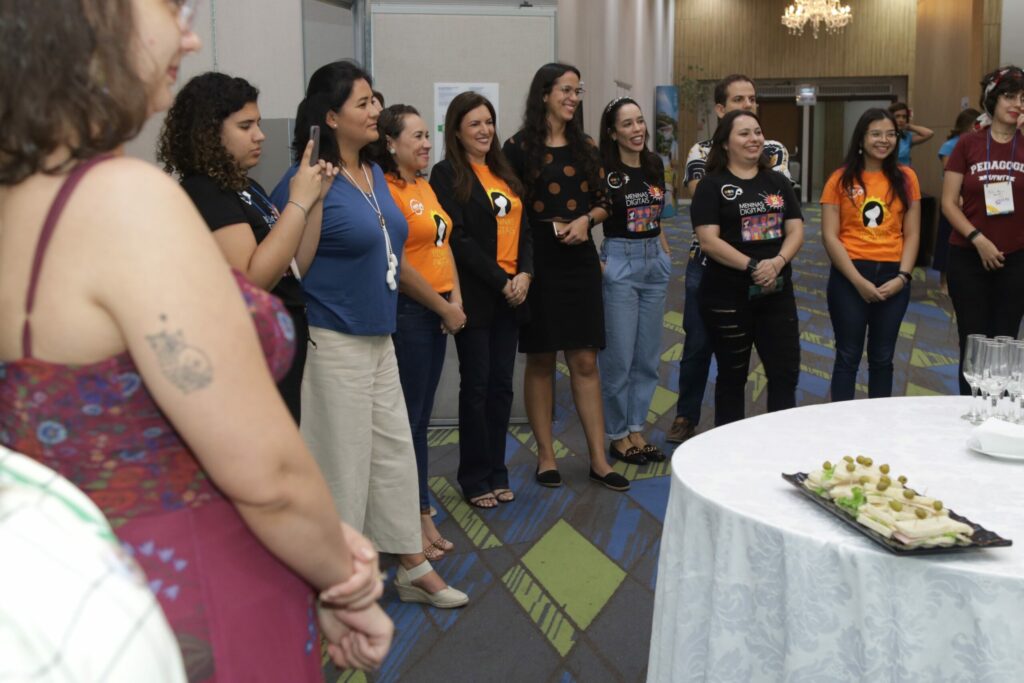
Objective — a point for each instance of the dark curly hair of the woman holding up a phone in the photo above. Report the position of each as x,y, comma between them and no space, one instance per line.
191,139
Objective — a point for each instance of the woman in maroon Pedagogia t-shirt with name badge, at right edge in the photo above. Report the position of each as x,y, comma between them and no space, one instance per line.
984,198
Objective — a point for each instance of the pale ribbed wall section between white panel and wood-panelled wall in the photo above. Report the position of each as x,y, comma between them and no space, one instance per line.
623,48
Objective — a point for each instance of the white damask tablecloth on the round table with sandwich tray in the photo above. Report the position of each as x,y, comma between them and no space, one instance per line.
757,584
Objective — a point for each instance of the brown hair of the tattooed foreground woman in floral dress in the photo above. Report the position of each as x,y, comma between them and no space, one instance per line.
71,64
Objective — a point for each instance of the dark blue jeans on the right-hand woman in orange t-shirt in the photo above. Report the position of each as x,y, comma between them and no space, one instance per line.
854,318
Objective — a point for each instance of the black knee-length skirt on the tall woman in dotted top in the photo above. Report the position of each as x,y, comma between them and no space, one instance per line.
567,311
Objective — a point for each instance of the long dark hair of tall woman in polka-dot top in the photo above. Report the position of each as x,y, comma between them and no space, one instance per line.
536,129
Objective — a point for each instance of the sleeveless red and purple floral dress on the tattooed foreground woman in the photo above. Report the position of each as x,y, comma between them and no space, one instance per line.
238,613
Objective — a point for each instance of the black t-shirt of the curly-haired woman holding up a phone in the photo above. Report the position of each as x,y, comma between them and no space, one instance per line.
221,208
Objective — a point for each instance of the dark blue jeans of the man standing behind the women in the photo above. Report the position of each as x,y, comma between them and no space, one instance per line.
698,352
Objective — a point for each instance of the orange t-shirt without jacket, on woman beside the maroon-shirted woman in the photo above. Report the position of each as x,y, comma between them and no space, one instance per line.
871,219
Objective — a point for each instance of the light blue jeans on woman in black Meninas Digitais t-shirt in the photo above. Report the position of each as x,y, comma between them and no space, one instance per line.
635,283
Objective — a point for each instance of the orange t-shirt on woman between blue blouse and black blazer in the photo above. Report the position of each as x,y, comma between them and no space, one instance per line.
430,228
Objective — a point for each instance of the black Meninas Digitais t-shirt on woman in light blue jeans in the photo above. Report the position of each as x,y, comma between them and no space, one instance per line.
637,201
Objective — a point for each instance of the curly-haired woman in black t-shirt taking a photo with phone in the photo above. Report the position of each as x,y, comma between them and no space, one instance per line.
211,139
